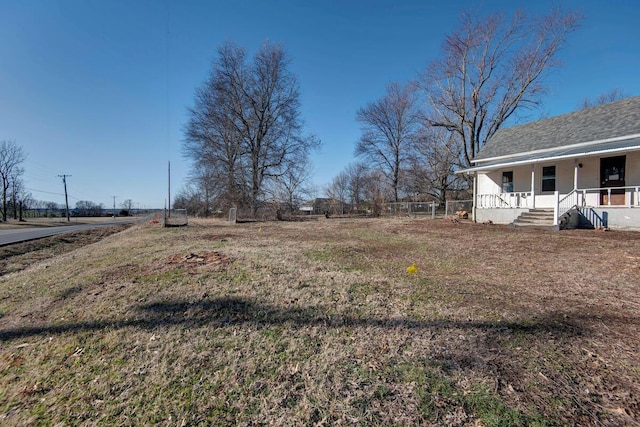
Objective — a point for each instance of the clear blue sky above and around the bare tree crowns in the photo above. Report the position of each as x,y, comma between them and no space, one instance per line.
98,89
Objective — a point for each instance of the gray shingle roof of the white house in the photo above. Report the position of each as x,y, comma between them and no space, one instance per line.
612,120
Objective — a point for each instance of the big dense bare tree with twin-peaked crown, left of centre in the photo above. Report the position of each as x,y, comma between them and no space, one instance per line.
246,122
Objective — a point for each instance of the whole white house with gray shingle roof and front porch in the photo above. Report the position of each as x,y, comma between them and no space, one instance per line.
581,168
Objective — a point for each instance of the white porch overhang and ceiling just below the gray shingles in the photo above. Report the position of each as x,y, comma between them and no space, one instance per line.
561,153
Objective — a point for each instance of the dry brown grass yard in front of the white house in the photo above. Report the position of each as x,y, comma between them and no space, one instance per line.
318,323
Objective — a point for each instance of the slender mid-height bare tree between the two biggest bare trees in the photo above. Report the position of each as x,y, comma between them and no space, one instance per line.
388,126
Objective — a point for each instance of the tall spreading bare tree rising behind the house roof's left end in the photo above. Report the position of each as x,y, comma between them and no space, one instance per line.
490,69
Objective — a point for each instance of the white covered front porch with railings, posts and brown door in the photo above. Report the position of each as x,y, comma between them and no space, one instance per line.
599,180
